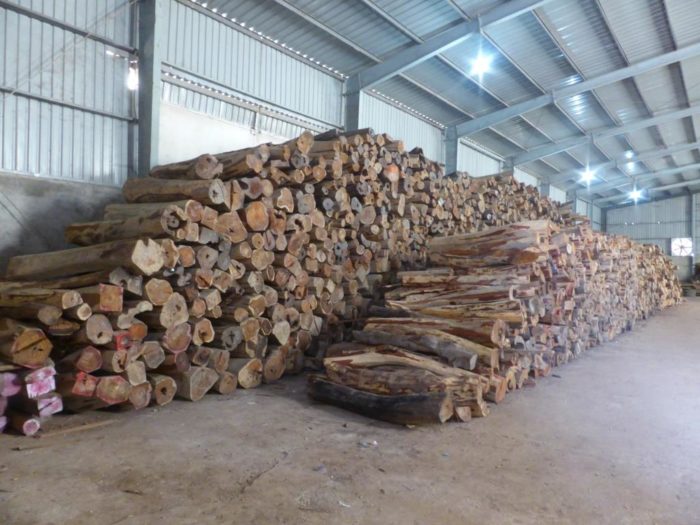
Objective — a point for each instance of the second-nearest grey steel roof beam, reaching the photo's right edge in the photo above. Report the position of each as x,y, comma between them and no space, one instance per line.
487,121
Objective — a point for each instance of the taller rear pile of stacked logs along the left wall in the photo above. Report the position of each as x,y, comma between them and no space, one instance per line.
224,270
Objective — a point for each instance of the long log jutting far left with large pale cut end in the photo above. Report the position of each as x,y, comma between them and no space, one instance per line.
141,256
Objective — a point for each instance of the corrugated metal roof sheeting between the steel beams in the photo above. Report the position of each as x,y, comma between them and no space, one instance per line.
557,45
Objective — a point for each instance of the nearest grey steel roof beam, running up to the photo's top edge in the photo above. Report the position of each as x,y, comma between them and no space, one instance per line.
414,55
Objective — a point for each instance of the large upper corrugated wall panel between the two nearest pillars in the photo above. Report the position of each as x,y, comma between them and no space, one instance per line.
198,43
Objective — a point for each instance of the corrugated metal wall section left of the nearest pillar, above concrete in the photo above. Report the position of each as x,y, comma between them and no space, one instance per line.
65,106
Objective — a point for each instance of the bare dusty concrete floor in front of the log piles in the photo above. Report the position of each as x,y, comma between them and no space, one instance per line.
611,438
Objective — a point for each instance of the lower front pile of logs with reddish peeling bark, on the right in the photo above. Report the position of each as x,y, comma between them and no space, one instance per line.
500,308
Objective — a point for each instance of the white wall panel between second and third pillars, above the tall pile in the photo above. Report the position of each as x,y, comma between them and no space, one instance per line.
385,118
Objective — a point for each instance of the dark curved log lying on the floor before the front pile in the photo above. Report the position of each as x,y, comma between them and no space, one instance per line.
410,409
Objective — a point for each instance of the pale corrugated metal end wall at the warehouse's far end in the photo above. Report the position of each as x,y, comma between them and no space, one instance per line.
656,223
